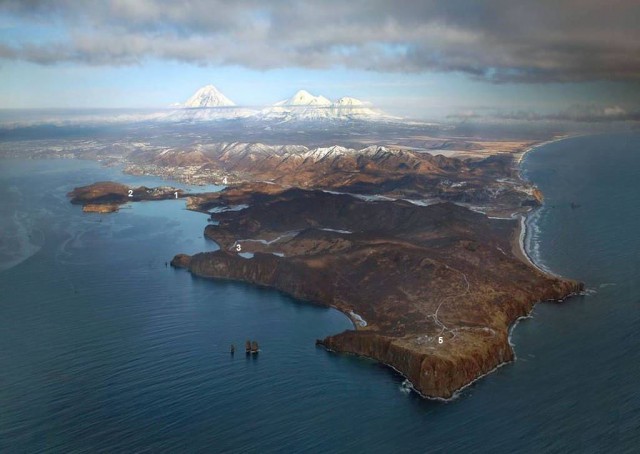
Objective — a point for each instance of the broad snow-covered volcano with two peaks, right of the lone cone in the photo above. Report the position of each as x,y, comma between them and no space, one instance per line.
305,106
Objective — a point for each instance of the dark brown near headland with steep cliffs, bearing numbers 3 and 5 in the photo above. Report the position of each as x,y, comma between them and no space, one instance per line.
431,290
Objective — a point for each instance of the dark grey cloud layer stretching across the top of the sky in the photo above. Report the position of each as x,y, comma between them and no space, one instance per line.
499,40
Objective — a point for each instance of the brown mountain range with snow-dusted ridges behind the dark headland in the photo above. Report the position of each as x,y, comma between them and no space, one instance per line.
326,167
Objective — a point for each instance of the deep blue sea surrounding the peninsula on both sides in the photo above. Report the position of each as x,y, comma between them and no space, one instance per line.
105,349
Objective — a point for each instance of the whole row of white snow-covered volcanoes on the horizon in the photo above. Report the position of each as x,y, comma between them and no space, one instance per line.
208,103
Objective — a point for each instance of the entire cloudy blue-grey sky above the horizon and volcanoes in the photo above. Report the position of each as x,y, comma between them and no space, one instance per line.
576,59
